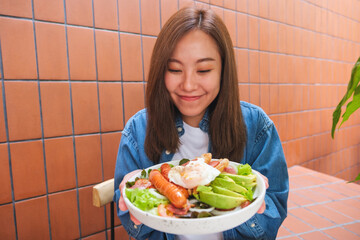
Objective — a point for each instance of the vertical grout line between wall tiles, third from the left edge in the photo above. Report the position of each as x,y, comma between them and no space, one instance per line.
72,120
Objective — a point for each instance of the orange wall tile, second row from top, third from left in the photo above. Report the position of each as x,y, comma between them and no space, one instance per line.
81,53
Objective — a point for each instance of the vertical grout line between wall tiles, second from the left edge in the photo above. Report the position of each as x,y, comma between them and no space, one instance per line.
41,119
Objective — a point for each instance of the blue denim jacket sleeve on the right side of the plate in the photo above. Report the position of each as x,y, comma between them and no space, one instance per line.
268,158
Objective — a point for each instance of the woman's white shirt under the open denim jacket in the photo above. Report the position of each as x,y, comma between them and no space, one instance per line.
193,143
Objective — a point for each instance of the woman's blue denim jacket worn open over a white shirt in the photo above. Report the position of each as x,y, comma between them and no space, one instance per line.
263,152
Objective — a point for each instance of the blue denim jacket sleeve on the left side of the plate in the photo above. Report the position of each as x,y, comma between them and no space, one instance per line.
128,160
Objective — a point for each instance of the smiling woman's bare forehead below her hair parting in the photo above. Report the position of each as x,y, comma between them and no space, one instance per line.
196,44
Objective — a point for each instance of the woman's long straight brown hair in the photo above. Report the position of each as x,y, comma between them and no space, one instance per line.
227,130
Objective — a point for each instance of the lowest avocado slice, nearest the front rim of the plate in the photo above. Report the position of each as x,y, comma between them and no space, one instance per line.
220,201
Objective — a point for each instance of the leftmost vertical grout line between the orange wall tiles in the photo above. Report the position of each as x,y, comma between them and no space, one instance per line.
8,143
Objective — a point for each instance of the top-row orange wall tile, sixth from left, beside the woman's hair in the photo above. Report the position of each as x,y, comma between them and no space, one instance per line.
150,17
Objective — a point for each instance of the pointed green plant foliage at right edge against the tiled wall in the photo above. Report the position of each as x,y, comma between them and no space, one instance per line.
352,106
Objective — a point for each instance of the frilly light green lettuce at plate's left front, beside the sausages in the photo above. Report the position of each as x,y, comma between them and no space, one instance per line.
143,199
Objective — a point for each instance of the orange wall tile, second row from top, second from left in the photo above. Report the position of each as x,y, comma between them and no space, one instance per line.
51,41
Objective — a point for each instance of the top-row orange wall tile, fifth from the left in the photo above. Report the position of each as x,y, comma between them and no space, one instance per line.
129,16
